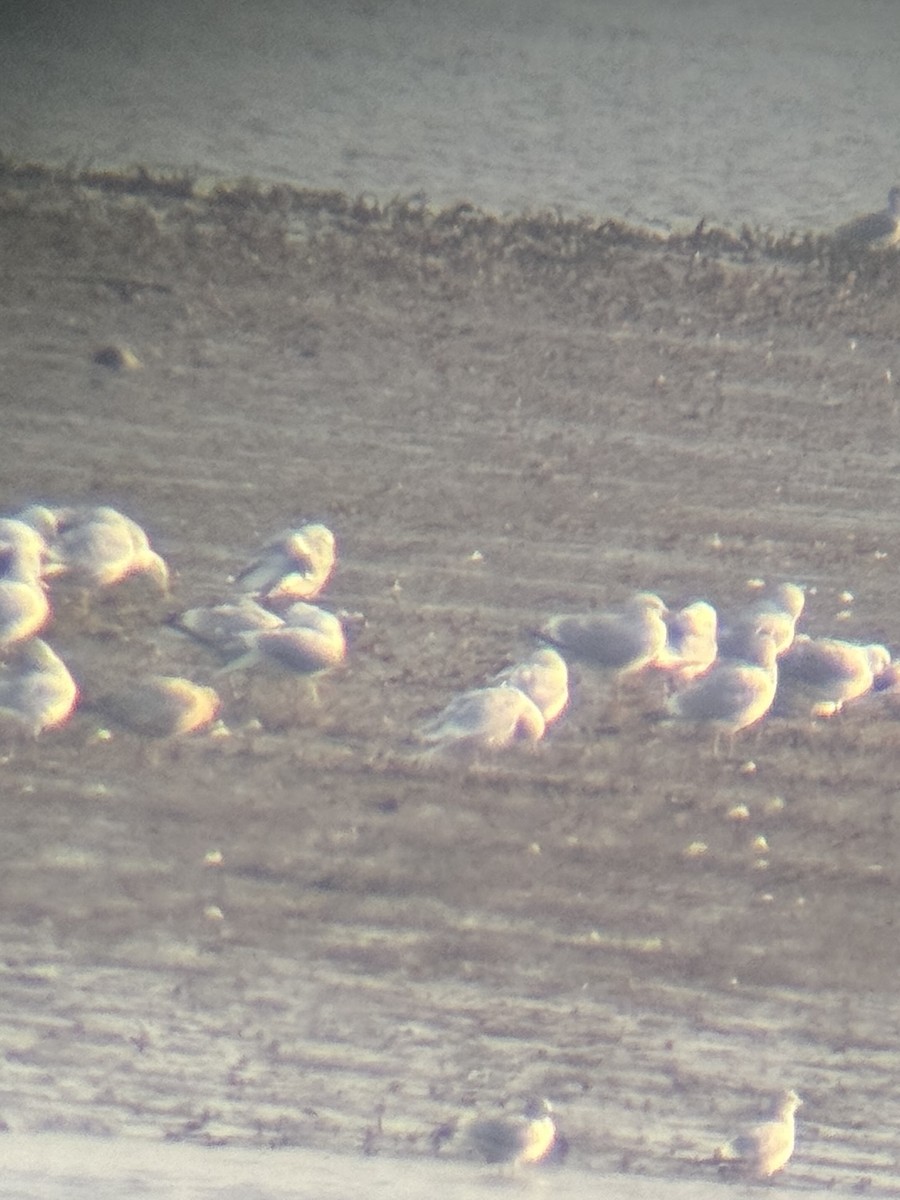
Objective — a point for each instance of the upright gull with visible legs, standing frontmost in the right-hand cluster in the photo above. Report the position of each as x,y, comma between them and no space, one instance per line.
734,694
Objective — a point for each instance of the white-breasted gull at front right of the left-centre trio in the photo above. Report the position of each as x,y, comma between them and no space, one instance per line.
309,640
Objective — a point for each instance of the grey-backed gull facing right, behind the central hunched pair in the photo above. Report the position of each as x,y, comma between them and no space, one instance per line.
627,640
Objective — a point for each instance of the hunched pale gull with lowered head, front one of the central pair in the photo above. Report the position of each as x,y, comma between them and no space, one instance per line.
485,719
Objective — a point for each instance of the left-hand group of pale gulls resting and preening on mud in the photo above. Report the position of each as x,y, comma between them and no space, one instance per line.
269,619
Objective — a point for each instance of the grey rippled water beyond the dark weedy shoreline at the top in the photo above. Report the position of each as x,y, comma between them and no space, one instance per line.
764,113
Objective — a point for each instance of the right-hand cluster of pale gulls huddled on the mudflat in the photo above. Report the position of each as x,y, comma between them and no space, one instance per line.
723,675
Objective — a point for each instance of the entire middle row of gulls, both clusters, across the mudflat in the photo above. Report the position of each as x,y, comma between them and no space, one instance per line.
722,674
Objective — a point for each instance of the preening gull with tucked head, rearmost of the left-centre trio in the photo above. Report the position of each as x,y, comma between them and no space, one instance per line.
295,566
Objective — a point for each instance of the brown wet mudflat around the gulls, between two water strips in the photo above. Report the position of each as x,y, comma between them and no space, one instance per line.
501,421
